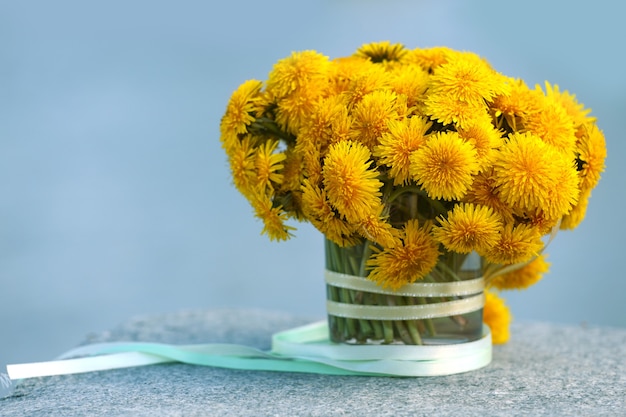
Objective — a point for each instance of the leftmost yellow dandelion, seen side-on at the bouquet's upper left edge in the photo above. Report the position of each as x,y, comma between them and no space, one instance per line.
239,112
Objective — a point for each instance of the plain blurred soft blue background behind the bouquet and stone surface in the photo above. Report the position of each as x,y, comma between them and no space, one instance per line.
115,197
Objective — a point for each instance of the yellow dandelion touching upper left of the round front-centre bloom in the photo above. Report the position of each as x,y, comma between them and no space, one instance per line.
397,145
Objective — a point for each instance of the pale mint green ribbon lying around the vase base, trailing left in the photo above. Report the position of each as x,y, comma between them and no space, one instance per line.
303,349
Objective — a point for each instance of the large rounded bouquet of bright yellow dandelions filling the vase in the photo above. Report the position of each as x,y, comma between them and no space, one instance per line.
415,158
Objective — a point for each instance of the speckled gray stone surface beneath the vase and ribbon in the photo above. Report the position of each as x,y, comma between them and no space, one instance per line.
545,370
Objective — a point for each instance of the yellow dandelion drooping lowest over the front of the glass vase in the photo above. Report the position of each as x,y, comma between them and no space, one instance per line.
407,262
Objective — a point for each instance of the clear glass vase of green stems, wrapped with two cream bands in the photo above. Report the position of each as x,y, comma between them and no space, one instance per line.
444,307
